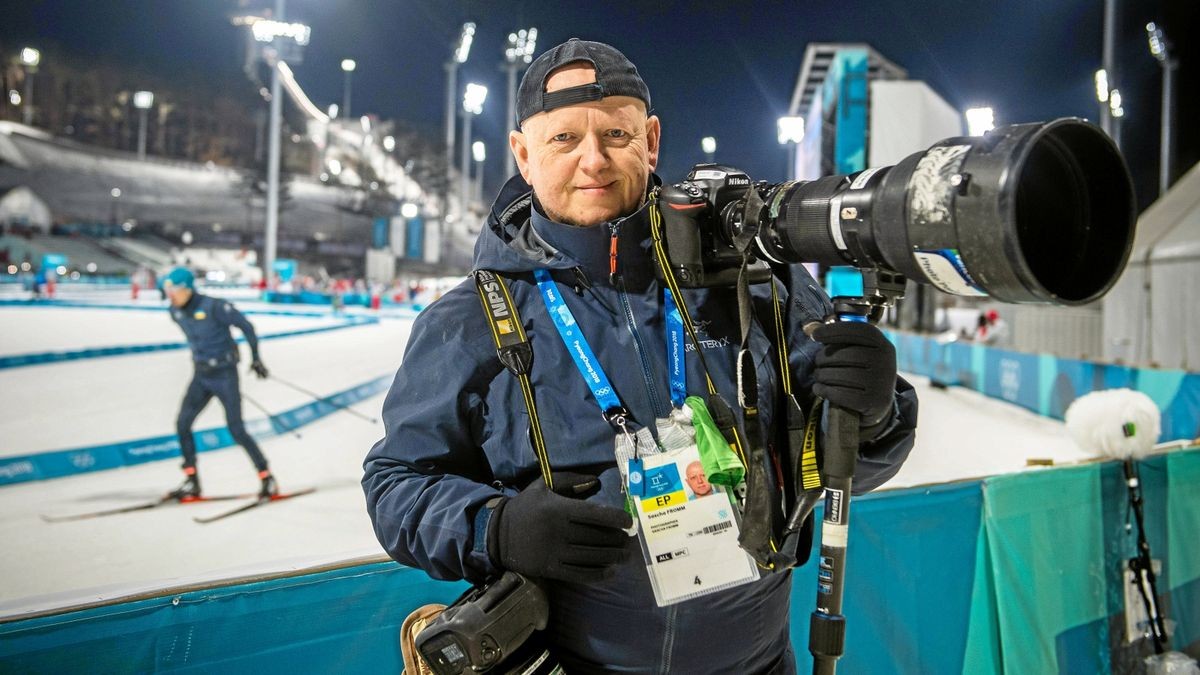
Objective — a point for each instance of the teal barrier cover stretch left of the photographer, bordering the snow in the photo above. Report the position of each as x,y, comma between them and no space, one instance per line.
338,622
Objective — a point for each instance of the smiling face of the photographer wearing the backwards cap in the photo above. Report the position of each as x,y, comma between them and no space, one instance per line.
590,163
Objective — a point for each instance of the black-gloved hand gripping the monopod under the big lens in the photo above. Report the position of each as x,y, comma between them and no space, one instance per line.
856,369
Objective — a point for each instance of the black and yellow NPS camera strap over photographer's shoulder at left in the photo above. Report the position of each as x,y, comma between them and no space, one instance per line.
514,351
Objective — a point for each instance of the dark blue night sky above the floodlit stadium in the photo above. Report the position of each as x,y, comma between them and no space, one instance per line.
715,69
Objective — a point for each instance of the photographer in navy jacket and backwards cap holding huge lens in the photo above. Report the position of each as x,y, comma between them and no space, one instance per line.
455,487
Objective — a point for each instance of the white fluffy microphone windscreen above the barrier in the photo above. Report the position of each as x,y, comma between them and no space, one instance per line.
1115,423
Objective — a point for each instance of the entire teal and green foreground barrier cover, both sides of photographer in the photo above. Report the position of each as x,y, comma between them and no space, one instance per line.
1013,575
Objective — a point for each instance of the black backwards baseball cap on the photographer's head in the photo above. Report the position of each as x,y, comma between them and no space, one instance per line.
616,76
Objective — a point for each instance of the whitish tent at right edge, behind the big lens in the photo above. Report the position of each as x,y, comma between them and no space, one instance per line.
1151,315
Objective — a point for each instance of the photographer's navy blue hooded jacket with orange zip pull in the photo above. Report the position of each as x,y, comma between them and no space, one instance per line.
458,435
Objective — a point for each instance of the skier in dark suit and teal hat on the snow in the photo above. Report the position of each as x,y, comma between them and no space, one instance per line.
206,322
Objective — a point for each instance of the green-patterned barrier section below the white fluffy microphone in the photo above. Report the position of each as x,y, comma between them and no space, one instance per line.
1058,547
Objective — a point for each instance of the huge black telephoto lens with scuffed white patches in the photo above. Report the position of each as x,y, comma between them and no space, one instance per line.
1031,213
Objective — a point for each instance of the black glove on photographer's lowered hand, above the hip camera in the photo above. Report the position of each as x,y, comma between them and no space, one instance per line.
557,535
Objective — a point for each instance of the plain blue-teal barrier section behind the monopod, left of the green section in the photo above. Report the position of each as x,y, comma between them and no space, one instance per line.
909,582
